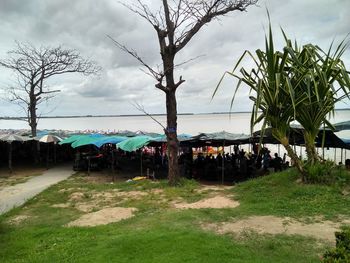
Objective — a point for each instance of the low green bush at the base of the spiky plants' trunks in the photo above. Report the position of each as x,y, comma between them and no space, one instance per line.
327,173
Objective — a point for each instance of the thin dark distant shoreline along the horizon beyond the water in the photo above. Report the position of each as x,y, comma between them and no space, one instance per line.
131,115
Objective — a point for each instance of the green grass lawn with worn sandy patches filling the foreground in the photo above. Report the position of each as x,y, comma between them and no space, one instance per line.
161,233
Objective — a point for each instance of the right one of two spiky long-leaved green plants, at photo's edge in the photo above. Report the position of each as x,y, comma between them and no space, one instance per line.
325,83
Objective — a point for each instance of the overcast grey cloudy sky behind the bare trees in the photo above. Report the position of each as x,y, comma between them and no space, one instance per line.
85,25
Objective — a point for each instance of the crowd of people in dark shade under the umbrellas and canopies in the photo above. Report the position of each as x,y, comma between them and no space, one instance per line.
234,166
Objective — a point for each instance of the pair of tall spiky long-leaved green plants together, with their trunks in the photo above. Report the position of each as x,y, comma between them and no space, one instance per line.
296,84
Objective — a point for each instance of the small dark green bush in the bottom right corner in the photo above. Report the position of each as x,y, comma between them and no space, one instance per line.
341,252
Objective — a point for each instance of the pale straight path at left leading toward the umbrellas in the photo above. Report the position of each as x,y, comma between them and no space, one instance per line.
16,195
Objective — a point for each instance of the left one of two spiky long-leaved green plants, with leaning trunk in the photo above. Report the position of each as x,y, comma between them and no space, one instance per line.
271,89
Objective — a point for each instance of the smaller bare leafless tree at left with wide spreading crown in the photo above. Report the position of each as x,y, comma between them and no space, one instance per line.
33,66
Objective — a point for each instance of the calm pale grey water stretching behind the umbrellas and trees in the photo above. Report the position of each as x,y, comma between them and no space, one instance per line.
192,124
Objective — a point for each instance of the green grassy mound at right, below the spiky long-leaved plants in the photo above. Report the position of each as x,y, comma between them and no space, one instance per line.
282,194
